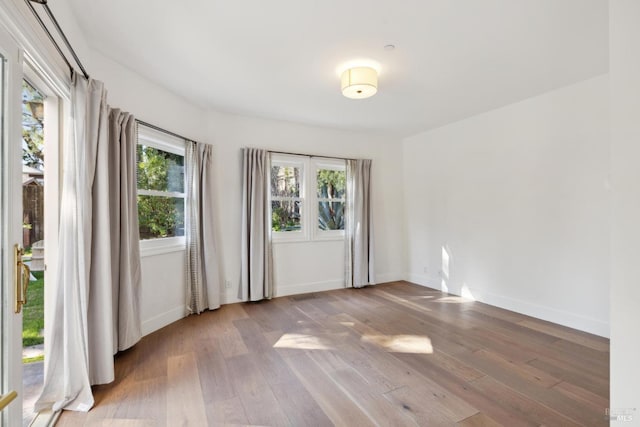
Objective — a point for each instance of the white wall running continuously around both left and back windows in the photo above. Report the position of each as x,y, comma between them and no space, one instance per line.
299,267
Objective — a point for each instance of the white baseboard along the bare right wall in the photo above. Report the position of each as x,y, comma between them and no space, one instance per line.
560,317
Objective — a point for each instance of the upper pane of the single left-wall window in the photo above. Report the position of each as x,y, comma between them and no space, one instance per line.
159,170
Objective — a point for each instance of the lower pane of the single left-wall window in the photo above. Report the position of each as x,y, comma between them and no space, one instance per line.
160,216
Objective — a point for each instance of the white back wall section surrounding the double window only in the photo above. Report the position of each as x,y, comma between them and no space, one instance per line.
311,266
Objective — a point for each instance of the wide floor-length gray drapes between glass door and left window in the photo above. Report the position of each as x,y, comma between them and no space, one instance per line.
96,298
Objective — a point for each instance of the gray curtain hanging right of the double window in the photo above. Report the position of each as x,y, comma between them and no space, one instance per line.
360,268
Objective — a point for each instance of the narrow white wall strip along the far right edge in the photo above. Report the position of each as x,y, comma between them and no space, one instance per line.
624,41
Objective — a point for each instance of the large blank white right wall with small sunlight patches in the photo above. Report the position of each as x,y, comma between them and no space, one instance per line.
518,198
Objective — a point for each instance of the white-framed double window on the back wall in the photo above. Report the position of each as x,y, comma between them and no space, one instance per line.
307,198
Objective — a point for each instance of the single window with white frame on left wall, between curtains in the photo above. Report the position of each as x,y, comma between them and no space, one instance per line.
161,188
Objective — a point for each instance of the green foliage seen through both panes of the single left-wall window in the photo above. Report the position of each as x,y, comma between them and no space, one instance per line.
161,171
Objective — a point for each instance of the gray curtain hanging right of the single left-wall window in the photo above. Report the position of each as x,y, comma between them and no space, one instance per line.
203,272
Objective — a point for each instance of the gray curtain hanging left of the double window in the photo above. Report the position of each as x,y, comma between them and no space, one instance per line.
257,265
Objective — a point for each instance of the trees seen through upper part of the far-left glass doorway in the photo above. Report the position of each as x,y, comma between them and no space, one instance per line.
32,126
